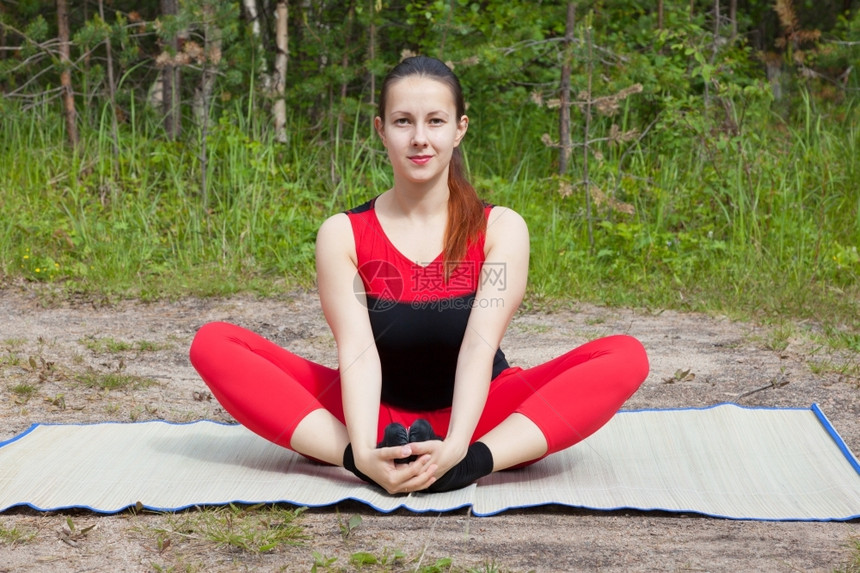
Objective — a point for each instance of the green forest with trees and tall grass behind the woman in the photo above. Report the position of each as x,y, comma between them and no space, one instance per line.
690,154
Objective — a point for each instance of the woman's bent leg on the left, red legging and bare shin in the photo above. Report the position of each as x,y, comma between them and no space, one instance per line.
282,397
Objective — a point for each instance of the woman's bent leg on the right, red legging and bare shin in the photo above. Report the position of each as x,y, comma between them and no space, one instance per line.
538,411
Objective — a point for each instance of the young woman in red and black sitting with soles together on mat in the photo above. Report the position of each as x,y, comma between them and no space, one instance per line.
418,286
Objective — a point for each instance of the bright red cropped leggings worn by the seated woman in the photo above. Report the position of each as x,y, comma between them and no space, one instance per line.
269,390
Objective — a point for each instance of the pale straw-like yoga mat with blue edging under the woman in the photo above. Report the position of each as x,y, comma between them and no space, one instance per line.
723,461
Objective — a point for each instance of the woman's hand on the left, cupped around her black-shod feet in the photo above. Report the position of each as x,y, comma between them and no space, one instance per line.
379,465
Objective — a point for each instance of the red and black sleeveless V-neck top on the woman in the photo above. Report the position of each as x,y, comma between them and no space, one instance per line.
418,319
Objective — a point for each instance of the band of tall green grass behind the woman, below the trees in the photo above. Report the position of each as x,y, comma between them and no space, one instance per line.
765,221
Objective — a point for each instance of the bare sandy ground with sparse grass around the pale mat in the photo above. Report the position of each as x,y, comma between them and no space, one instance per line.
47,344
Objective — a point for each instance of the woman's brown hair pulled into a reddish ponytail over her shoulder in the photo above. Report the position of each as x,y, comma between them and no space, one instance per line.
466,221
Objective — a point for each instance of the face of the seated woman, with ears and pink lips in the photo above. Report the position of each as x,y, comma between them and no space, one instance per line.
420,129
